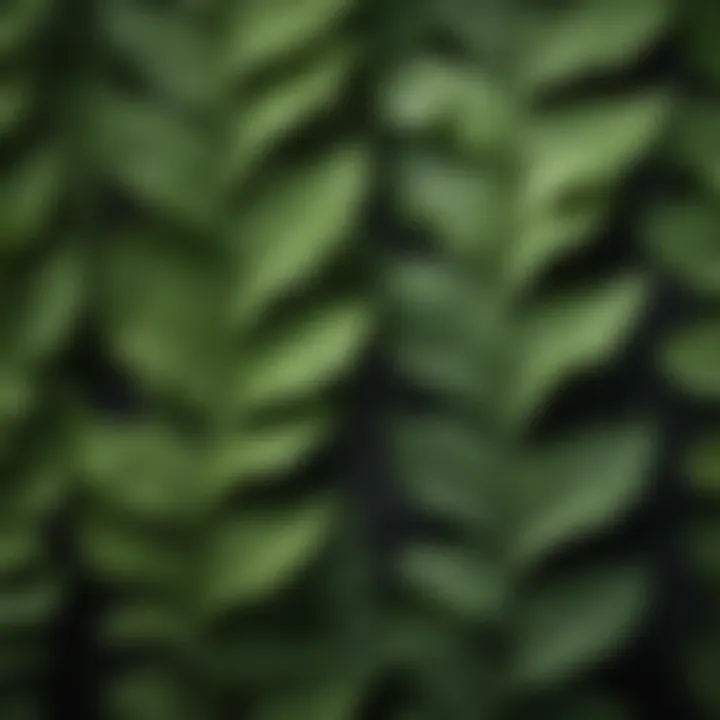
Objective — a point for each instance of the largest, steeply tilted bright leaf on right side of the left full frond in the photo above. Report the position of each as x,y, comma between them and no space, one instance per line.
296,227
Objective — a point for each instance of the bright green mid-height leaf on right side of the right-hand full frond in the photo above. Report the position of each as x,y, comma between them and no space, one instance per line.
574,334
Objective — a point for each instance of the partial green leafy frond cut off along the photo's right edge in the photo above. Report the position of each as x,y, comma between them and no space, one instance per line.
682,237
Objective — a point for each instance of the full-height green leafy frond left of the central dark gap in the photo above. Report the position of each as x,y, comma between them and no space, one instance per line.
242,180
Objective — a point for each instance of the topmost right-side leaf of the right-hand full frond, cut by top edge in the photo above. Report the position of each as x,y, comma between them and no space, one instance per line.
595,35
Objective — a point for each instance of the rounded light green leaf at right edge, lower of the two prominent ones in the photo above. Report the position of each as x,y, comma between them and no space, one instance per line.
691,359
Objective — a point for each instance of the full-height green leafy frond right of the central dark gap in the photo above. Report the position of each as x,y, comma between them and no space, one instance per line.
504,179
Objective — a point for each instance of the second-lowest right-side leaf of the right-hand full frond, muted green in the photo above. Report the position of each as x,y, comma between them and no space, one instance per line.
579,486
